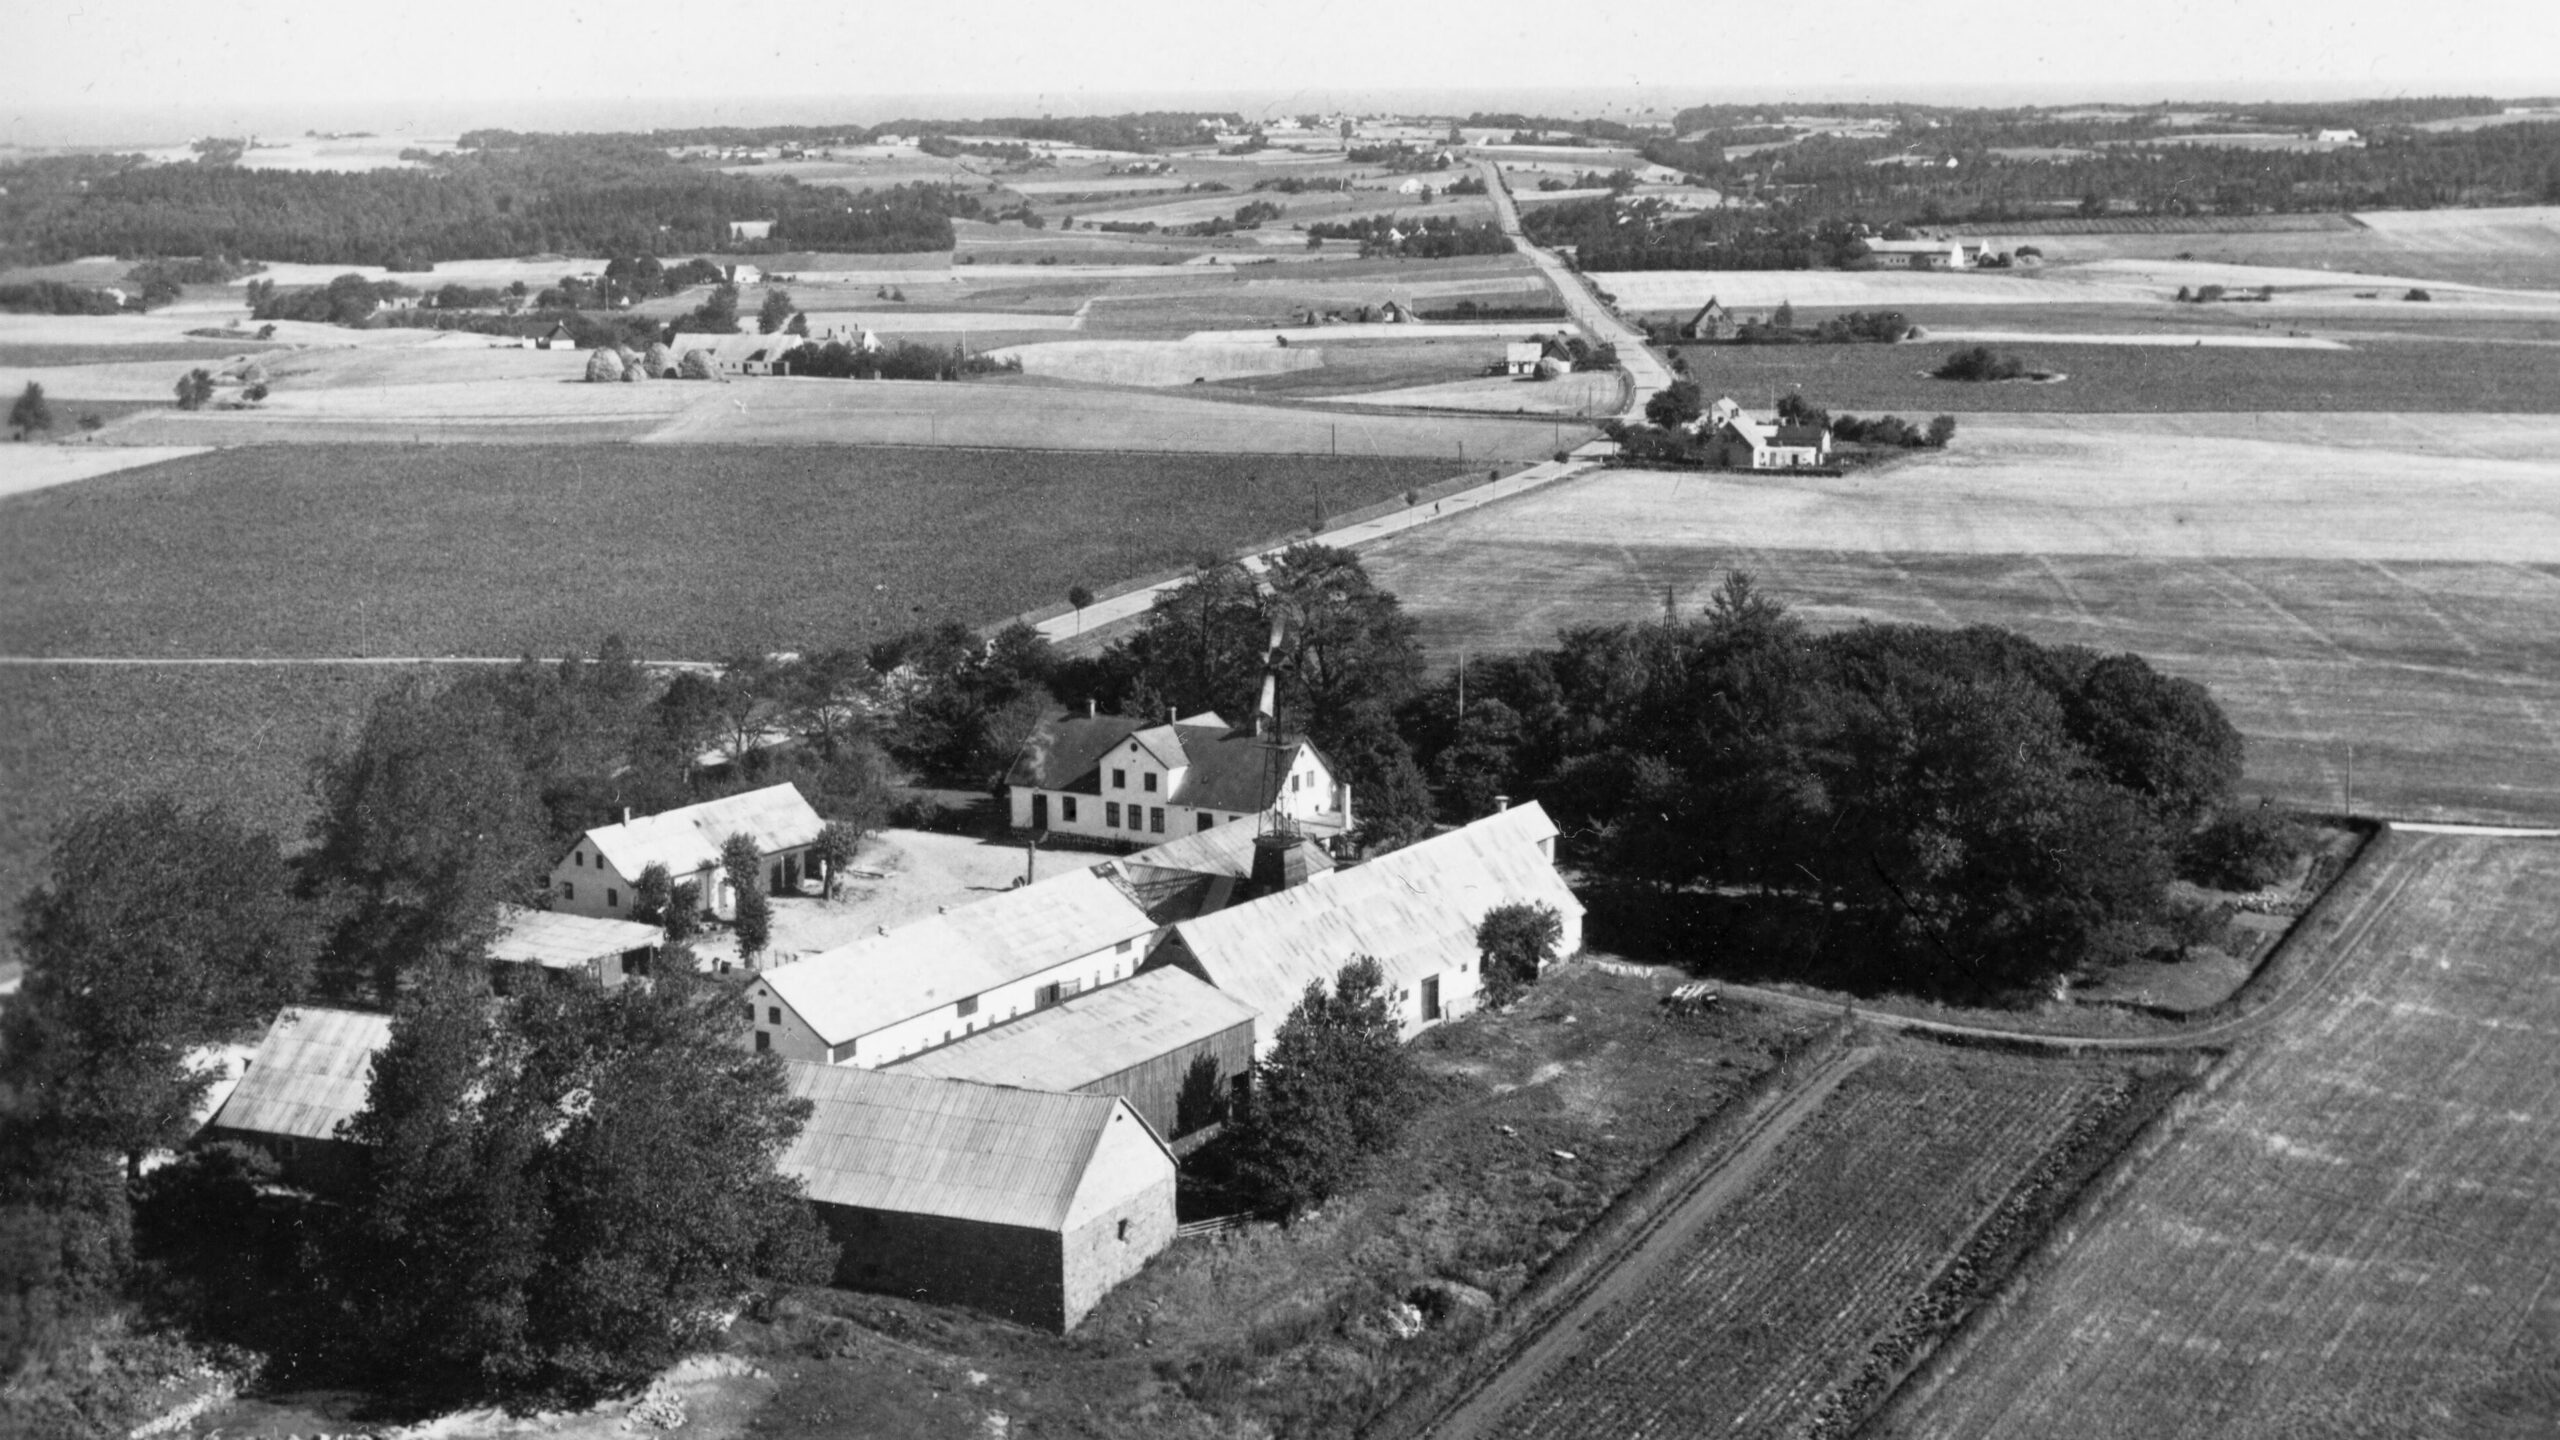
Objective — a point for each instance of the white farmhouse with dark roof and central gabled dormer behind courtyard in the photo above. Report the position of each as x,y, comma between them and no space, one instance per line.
1115,778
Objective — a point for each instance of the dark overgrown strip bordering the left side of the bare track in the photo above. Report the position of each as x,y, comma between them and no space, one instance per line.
1617,1234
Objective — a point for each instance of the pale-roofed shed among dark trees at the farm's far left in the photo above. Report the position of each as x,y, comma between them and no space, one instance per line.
308,1077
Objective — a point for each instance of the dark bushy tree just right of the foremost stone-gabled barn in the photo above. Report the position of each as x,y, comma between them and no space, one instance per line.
1330,1095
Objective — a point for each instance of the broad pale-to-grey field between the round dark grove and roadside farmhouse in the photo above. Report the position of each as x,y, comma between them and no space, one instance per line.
2387,585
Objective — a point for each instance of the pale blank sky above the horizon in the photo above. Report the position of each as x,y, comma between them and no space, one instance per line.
339,58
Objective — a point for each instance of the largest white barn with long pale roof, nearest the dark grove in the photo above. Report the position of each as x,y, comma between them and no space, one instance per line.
1412,911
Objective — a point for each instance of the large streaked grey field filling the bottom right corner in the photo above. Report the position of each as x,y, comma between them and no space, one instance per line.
2354,1234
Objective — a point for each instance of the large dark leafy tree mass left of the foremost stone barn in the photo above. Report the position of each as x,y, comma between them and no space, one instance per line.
572,1190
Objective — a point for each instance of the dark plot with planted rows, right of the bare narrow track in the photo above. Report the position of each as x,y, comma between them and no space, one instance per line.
1796,1282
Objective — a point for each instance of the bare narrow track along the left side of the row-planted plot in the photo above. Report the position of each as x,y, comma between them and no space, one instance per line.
1673,1234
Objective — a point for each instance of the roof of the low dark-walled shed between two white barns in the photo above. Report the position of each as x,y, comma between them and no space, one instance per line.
1089,1039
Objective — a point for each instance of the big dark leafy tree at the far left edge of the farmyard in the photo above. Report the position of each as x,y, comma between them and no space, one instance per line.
155,931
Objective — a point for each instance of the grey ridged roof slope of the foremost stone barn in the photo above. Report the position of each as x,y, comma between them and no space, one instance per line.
946,1147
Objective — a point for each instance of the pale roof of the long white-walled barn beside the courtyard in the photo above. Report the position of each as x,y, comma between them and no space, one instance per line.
943,960
